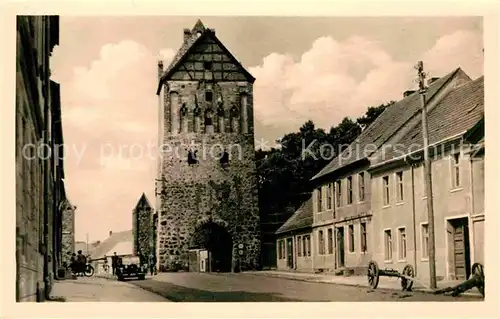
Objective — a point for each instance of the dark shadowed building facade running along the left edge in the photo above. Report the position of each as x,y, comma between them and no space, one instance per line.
39,171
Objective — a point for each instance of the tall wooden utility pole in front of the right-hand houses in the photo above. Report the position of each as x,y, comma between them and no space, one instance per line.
428,177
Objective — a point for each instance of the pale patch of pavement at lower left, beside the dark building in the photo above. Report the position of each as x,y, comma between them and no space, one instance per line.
99,289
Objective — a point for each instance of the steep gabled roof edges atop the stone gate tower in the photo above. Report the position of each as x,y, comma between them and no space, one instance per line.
189,43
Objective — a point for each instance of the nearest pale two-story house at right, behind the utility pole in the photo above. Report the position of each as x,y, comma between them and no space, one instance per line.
399,203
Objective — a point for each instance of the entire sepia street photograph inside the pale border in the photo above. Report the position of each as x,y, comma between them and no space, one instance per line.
211,158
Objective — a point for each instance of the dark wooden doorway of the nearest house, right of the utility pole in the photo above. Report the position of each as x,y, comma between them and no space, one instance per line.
457,233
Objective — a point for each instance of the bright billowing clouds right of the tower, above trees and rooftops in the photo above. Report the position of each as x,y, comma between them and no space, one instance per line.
334,79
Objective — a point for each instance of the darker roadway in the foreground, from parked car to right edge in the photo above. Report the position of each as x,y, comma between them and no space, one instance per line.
203,287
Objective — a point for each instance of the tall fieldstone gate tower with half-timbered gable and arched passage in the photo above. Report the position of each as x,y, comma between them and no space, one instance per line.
206,186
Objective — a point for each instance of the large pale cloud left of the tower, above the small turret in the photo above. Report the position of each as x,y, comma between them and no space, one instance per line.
110,123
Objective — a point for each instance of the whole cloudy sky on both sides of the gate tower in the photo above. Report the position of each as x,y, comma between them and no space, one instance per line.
306,68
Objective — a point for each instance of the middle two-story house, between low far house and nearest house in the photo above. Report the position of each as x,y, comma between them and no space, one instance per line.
342,228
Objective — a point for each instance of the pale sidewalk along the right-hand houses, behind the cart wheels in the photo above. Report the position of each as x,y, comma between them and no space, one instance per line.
358,281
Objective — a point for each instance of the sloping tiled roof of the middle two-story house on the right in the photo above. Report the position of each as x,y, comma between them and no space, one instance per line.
386,124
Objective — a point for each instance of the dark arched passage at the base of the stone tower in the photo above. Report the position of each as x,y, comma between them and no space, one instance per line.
218,242
